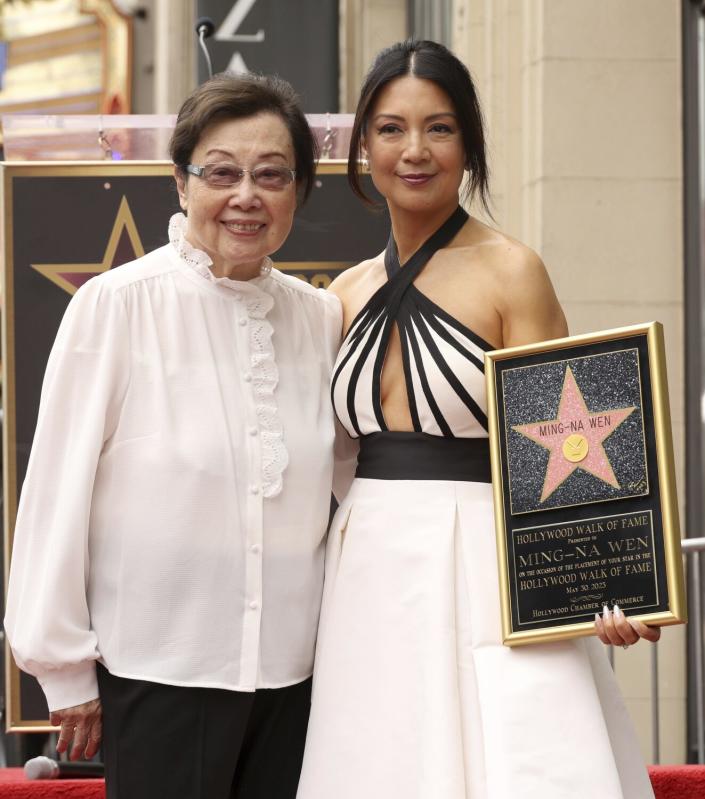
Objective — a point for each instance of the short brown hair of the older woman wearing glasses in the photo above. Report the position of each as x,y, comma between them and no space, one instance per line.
230,96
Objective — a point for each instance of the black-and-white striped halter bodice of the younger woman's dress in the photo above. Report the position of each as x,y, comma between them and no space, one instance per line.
442,359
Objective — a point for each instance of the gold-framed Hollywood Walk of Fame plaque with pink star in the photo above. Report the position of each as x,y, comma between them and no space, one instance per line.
583,480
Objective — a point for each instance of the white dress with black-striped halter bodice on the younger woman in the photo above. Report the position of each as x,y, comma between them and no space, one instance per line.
415,697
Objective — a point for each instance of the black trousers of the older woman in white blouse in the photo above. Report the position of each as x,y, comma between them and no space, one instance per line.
163,741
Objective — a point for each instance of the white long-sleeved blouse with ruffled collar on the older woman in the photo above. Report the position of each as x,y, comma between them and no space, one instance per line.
173,516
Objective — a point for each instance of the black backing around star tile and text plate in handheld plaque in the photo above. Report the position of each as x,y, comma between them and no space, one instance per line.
651,501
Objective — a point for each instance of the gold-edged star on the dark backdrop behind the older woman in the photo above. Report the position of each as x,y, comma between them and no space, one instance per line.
123,245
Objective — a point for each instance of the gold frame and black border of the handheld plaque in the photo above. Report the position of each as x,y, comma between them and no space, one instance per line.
672,609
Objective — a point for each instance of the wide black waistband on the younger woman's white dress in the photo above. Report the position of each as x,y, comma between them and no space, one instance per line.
419,456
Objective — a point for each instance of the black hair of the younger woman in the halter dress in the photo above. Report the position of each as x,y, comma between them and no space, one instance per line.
430,61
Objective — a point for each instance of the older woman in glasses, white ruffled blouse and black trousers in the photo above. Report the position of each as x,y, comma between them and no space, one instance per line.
167,565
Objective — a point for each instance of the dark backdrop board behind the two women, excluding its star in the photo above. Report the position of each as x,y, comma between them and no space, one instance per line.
69,219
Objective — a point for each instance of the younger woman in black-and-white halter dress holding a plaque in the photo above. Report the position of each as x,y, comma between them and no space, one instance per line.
415,696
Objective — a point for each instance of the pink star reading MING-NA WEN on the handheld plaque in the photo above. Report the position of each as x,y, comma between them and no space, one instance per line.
574,438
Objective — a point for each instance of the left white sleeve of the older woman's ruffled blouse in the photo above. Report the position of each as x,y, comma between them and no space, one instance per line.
47,617
